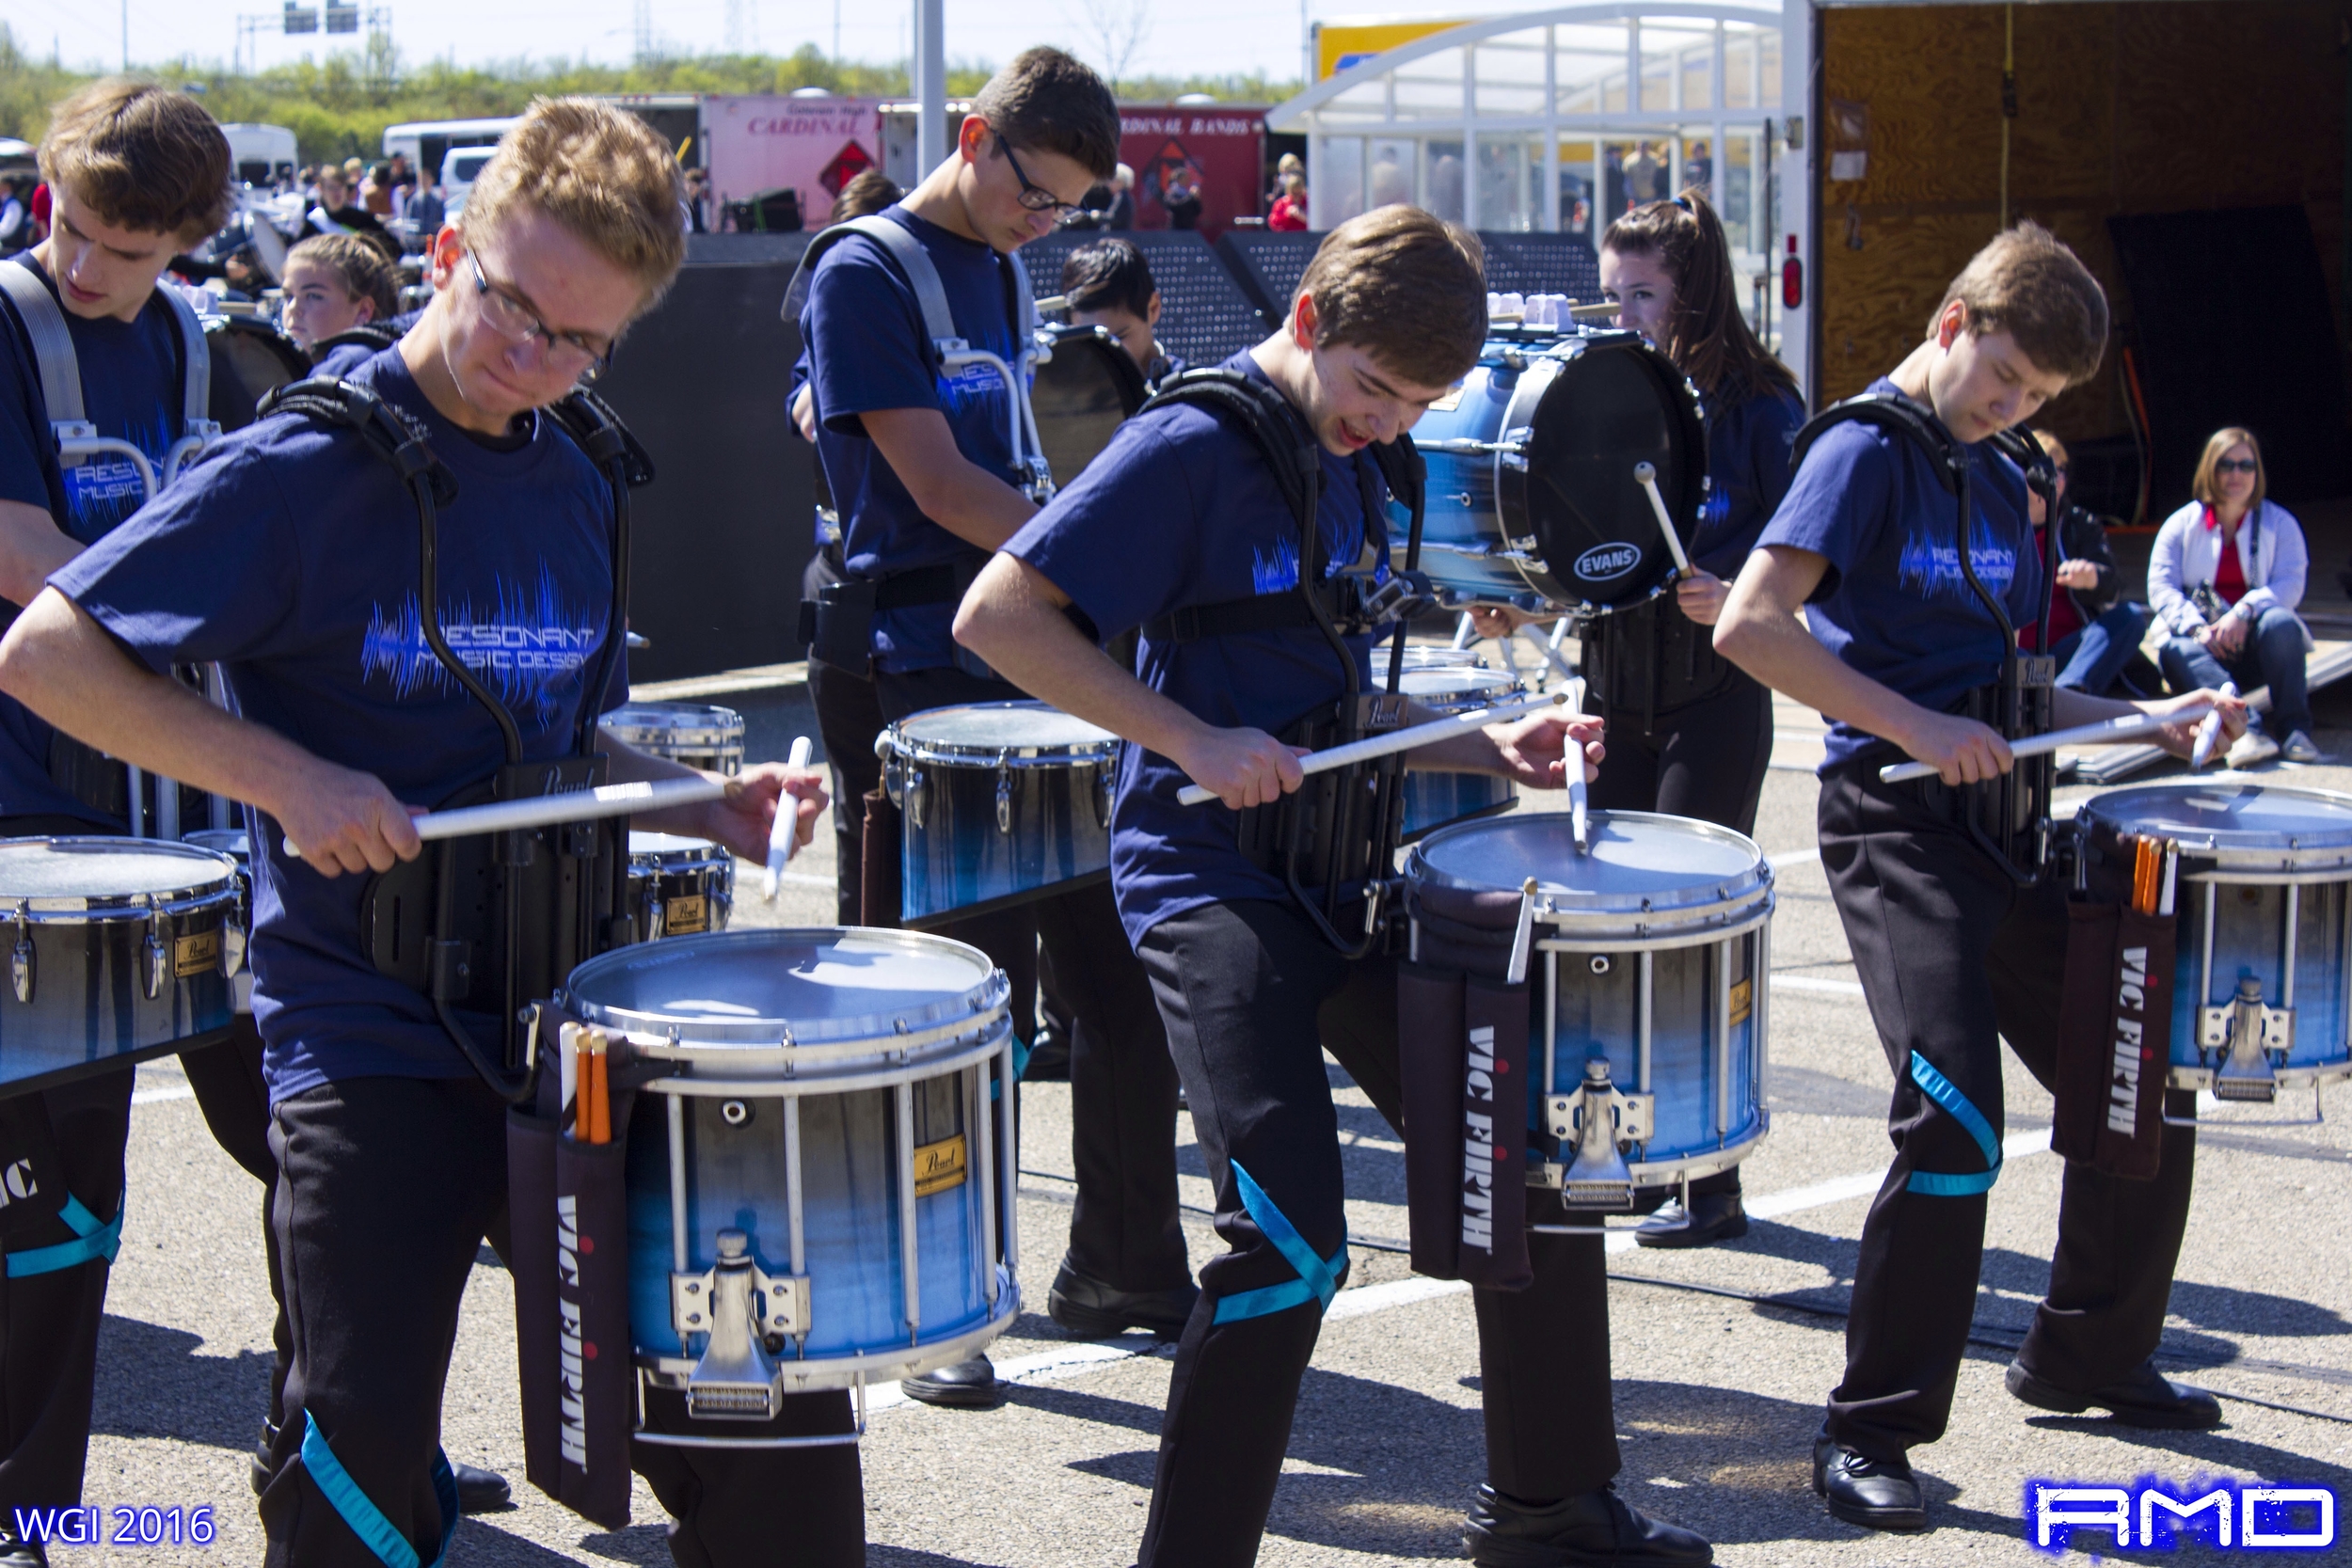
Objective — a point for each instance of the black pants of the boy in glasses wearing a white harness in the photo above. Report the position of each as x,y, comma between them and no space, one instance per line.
1123,1085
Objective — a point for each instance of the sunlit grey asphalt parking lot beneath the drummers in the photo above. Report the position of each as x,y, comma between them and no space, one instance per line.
1720,1358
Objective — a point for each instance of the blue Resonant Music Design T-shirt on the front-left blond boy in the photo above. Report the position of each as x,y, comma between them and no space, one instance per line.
290,554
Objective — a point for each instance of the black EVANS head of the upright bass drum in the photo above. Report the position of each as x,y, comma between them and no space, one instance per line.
1610,406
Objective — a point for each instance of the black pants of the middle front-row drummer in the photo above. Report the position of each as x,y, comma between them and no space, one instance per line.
1252,998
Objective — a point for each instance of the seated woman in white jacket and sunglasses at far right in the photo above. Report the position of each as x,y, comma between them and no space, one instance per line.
2224,582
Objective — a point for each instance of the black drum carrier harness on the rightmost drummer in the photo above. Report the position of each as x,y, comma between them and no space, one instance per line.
2010,817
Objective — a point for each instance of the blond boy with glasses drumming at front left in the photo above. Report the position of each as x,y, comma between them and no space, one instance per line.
290,556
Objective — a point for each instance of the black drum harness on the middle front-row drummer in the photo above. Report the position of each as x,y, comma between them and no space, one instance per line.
1335,840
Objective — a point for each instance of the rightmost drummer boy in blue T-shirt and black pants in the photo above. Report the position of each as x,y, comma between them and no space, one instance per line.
1958,946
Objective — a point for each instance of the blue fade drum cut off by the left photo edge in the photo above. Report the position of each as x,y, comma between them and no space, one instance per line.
119,951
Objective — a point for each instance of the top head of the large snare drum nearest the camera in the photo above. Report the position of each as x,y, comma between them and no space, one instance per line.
756,986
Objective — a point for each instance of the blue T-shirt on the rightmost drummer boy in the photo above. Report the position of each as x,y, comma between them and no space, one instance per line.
1895,603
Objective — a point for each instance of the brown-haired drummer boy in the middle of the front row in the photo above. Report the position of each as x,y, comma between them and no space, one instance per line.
1175,528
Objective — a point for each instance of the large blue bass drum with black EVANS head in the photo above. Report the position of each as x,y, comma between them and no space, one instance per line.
1532,495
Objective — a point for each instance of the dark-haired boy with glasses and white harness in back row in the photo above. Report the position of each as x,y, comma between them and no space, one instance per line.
921,467
